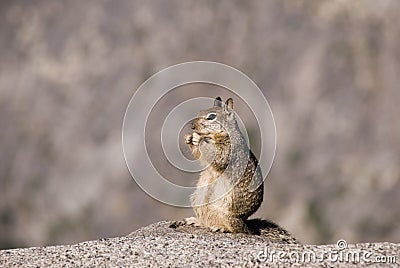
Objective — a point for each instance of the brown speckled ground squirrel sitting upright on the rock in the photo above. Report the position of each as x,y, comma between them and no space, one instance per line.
230,188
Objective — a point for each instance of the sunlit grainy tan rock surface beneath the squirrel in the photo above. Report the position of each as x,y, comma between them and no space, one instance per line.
159,245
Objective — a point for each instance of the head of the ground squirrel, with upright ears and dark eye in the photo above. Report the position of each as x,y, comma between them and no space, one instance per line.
218,119
